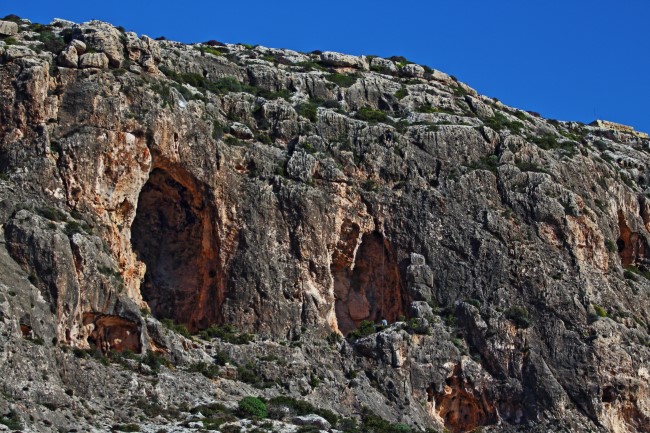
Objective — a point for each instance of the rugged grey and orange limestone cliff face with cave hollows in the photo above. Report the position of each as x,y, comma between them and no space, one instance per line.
150,189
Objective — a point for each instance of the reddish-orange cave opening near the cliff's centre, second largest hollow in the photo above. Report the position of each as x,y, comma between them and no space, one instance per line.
370,288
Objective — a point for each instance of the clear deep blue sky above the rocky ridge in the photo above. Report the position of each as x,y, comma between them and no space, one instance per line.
568,60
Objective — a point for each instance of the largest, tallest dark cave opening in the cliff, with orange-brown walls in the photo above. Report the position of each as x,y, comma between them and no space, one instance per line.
174,234
